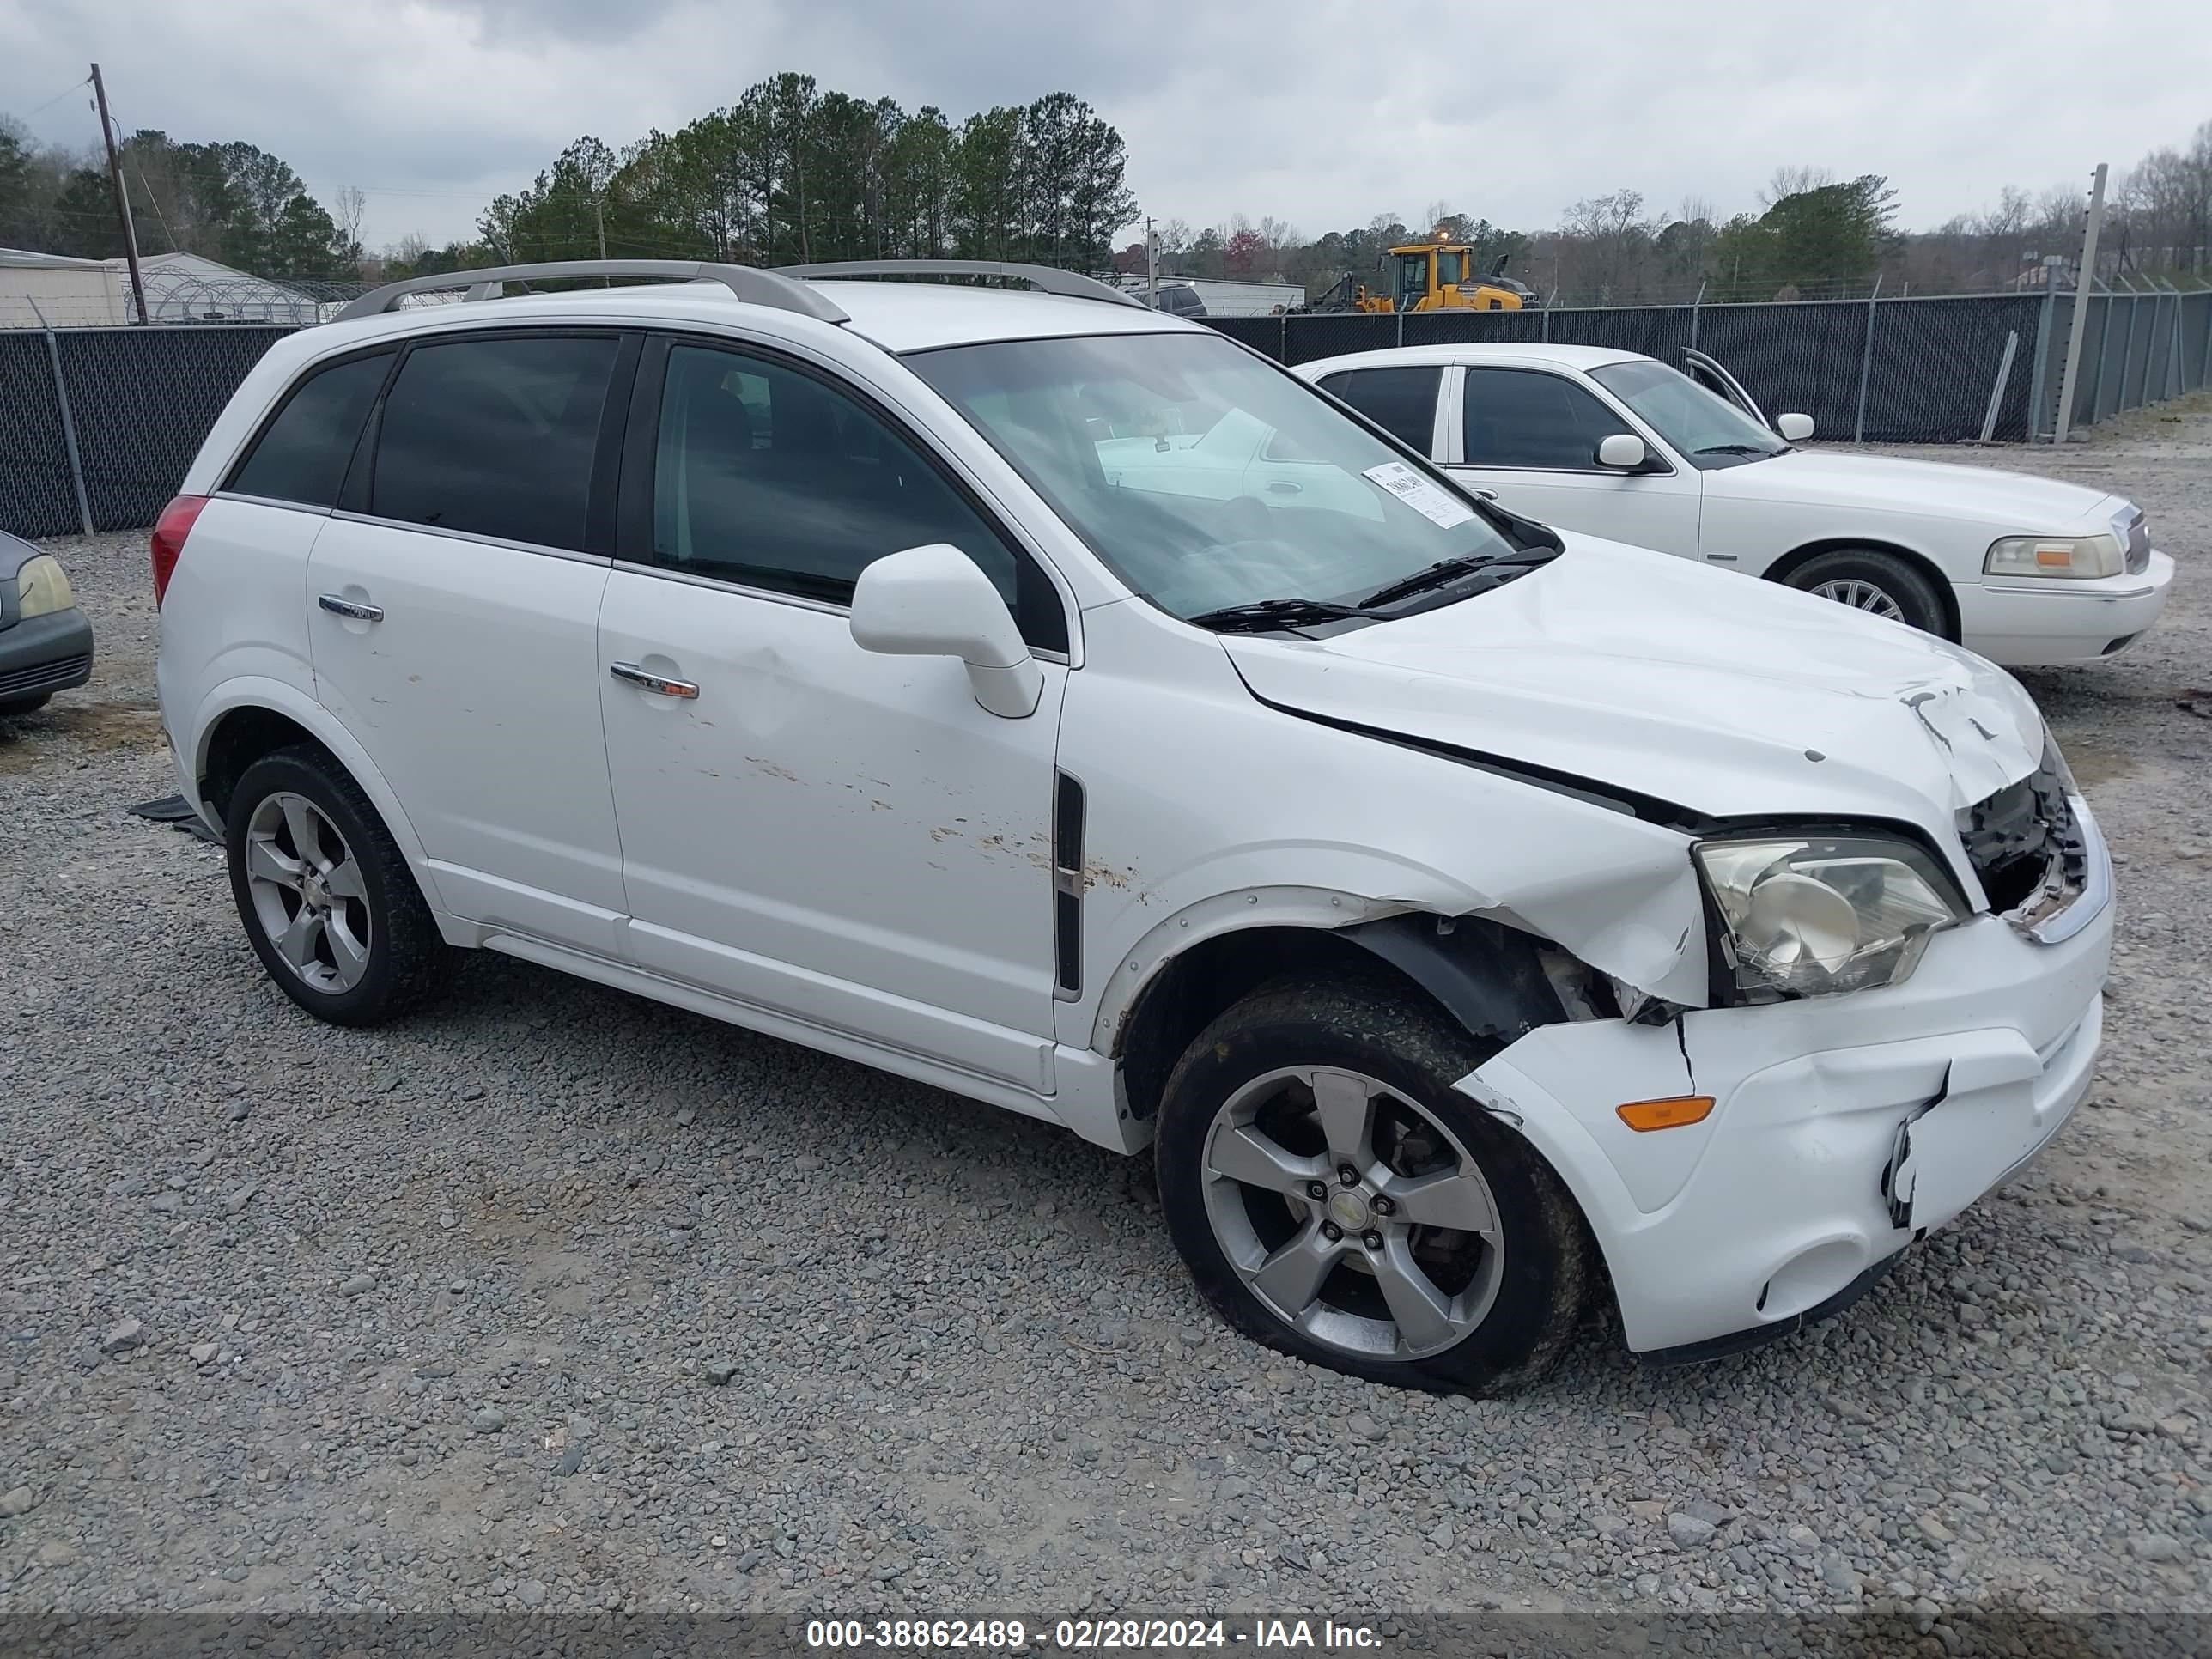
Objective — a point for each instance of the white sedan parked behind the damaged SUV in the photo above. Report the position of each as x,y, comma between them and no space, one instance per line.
2025,572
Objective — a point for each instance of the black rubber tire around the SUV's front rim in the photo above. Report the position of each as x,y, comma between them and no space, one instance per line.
1417,1054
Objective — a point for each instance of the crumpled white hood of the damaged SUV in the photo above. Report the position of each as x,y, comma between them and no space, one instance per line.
1704,689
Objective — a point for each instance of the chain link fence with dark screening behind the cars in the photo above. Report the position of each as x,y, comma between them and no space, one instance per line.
98,424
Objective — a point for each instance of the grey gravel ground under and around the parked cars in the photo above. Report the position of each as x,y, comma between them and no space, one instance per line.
561,1300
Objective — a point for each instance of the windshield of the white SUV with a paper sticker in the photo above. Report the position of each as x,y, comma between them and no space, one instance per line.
1204,477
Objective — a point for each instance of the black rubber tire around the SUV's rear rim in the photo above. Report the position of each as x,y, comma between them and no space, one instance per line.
408,961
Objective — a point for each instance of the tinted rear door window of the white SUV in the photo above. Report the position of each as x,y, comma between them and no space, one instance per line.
494,437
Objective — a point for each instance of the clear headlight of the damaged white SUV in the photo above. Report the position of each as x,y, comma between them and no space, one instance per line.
1824,915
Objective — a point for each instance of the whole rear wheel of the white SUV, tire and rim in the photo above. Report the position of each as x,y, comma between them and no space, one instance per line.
326,895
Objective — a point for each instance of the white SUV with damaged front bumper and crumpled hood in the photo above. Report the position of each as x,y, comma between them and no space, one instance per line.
1061,705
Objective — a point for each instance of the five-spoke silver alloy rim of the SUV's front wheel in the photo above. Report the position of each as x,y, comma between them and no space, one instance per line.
1353,1213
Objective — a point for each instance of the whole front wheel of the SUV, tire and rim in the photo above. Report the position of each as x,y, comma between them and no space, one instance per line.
1342,1202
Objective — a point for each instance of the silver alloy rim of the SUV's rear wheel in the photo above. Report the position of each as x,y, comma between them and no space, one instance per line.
309,895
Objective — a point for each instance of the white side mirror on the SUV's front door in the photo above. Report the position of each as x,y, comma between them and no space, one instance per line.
935,603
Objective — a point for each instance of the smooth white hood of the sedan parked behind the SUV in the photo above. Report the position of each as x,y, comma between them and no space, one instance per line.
1930,488
